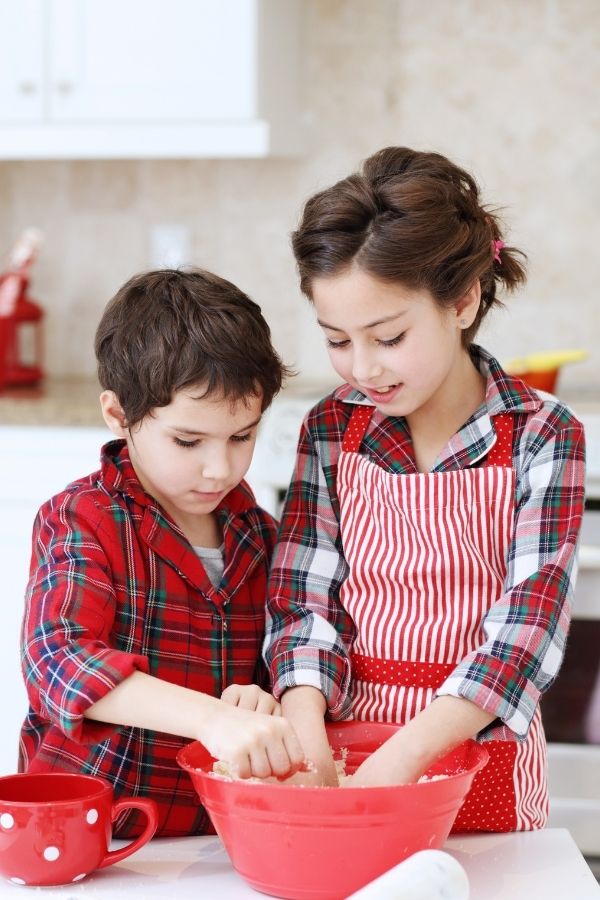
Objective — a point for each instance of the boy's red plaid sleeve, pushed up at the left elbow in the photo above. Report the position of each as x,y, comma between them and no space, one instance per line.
67,658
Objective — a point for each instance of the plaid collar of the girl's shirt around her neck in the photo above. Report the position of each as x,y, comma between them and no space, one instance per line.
504,395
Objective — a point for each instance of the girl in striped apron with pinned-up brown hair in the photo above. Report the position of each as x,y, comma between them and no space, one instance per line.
425,564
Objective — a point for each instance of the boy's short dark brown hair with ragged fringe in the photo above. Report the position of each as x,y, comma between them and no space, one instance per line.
169,329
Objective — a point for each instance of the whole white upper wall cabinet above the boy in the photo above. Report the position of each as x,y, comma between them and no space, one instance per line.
150,78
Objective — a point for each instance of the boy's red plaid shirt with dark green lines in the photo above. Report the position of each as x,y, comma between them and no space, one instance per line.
114,587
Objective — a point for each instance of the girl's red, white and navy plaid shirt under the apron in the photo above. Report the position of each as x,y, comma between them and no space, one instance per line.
309,634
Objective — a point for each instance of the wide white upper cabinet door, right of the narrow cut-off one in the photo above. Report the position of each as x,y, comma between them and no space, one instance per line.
144,60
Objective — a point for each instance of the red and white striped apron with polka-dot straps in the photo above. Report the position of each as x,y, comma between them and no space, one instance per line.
427,558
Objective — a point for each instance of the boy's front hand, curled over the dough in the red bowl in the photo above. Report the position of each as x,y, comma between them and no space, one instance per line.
251,743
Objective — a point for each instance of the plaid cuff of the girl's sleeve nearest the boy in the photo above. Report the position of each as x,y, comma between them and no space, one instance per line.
312,666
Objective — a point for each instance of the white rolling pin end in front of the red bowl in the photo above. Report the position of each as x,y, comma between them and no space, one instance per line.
427,875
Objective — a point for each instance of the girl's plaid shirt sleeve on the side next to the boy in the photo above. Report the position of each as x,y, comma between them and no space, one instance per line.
308,633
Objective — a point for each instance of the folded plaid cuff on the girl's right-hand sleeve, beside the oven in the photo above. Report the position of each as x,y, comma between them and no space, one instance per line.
498,688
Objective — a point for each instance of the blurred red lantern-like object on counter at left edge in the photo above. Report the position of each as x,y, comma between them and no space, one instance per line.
21,343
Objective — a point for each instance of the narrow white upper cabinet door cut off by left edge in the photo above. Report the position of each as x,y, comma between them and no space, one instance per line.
21,61
